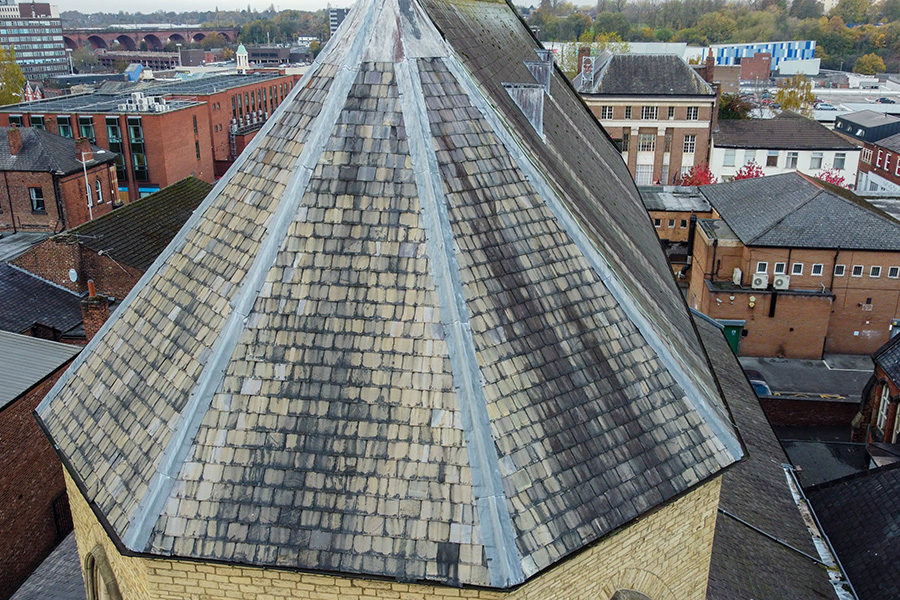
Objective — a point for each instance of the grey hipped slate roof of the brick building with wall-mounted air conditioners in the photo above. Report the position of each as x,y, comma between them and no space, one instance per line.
790,210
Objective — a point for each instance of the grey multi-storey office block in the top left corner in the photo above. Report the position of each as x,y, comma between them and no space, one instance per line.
34,31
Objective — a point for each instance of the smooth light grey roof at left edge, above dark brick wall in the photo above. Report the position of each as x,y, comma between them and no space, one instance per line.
25,361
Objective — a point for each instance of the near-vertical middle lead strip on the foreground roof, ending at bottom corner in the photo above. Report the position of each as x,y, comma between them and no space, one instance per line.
498,535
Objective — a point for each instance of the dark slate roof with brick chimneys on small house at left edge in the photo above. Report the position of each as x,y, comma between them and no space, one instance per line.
45,151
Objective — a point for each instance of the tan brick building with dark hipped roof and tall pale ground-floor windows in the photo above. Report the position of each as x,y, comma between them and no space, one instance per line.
660,112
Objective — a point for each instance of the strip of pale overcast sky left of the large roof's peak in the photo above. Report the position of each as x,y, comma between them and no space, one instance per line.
191,5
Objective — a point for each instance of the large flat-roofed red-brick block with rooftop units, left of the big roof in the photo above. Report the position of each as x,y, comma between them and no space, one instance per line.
139,122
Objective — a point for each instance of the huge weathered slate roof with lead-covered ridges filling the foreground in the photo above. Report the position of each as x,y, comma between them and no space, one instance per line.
422,329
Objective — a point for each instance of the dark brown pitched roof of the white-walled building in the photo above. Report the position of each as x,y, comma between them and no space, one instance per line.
787,131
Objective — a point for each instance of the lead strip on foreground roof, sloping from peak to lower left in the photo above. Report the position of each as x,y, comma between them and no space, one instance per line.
143,520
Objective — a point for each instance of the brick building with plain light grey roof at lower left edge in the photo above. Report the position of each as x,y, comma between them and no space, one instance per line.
34,513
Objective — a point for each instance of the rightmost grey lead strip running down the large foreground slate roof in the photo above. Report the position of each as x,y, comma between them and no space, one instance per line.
717,422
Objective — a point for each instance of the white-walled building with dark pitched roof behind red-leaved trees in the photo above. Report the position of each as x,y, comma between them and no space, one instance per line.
789,142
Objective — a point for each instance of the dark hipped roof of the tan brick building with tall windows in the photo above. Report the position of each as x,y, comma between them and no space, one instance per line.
643,75
